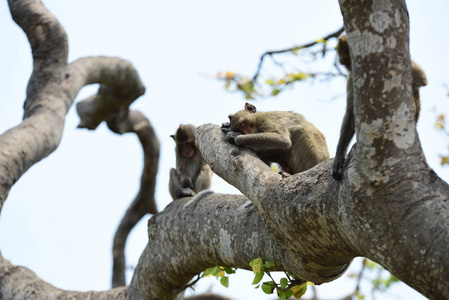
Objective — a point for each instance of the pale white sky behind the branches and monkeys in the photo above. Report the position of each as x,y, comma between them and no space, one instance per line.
61,216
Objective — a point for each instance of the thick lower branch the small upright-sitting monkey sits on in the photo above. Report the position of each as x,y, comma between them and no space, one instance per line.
230,233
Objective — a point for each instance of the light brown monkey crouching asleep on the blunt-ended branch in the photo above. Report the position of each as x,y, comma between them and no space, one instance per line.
281,137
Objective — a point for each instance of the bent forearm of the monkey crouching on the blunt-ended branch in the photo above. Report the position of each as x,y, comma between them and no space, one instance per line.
264,141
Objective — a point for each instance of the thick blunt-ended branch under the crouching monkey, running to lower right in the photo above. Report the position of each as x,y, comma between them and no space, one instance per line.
327,223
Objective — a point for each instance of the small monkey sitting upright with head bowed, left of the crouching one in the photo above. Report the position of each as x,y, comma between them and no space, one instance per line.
192,174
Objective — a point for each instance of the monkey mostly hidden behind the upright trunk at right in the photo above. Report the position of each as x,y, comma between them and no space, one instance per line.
347,130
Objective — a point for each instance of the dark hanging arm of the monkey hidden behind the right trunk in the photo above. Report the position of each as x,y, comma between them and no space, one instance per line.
346,133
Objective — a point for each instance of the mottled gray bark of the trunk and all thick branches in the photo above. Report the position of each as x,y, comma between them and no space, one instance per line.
389,207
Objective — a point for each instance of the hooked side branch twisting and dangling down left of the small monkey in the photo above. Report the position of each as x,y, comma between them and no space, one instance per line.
120,86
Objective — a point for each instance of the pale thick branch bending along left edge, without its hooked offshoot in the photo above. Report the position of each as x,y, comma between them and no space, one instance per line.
46,105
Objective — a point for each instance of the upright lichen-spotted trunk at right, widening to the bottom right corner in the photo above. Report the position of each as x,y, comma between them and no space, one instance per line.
390,176
